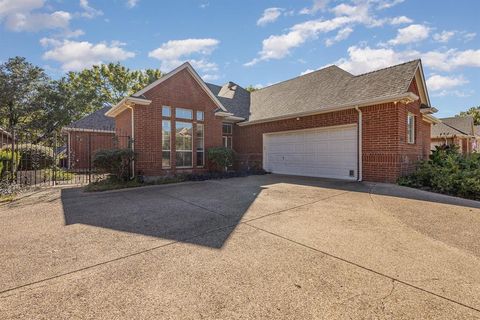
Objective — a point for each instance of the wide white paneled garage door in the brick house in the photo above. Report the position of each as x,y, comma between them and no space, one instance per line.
321,152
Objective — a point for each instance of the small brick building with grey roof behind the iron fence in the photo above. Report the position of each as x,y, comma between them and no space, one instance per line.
86,136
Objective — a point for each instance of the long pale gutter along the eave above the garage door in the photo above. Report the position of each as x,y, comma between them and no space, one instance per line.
406,97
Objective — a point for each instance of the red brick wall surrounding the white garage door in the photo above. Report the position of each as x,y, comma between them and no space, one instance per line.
385,154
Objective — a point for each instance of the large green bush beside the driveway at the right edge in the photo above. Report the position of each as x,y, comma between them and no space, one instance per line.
448,172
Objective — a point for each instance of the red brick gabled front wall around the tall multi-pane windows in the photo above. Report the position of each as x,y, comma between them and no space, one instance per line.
179,91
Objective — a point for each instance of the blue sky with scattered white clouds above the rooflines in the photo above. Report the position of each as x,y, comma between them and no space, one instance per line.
254,42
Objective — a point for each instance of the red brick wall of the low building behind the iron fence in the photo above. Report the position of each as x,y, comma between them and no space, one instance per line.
82,146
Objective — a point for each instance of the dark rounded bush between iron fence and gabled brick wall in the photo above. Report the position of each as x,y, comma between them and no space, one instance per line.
115,162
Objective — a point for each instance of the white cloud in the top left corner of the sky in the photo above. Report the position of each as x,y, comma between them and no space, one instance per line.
18,15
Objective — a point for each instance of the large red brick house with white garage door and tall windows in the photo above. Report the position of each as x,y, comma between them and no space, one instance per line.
328,123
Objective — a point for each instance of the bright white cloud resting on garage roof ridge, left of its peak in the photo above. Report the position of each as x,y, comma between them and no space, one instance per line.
365,59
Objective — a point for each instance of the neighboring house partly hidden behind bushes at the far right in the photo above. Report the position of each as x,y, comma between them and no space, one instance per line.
456,130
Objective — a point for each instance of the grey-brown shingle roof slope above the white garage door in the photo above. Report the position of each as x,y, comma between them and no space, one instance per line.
329,88
